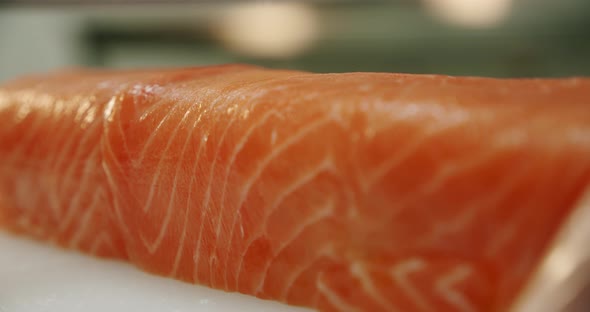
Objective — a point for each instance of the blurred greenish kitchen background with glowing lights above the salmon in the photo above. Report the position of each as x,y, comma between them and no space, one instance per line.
499,38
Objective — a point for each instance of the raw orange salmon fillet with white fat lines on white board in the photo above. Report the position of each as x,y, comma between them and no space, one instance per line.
339,192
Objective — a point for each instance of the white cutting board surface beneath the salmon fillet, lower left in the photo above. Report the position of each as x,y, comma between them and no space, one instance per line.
40,278
